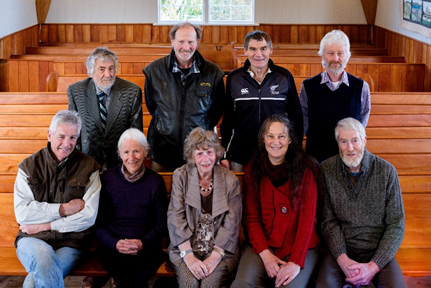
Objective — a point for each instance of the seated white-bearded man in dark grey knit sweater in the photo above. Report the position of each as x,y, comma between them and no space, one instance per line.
363,214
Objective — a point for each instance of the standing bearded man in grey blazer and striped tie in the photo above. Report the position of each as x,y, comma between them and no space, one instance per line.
107,106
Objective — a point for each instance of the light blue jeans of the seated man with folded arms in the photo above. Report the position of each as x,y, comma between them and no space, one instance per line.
46,267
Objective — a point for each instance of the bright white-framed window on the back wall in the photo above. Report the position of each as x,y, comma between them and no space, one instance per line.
207,11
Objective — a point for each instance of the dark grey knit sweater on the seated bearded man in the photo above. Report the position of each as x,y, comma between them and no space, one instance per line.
368,216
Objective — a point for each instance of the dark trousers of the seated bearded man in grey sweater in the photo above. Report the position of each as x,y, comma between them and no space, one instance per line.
331,275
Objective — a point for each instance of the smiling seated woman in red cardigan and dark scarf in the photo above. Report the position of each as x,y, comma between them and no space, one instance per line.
280,200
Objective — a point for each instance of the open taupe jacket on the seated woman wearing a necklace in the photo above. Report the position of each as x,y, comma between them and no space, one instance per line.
185,208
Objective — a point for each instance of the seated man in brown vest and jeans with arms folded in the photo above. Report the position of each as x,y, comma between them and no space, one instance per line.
56,199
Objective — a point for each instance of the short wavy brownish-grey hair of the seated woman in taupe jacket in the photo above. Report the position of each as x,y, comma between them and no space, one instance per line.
203,139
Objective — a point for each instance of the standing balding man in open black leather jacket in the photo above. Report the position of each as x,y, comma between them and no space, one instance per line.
182,91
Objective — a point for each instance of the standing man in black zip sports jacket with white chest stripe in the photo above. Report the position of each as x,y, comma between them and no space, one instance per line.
254,92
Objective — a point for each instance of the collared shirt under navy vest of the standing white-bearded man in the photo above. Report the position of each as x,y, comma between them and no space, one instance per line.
365,98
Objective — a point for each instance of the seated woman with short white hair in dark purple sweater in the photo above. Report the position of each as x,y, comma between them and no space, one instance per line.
132,215
